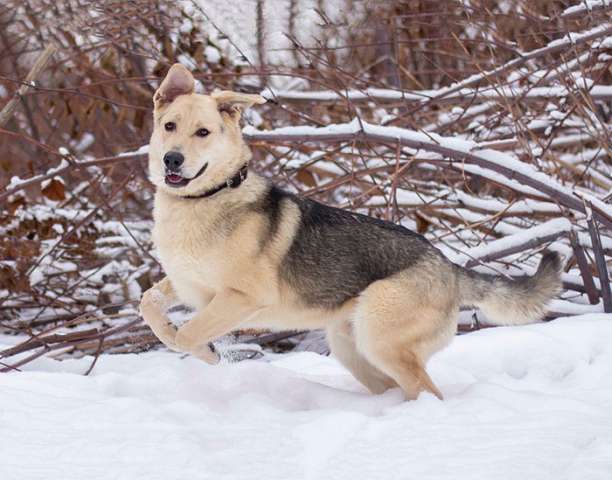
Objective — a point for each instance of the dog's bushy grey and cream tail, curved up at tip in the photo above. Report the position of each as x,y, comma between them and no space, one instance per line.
512,302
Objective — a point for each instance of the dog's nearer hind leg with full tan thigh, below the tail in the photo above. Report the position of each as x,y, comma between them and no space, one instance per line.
402,320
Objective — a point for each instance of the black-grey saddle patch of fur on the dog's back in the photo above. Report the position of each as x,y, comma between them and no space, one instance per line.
336,254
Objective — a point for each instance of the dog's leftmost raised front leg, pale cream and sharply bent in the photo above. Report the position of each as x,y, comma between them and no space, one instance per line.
154,304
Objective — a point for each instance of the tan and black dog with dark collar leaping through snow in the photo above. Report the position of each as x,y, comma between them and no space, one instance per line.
246,254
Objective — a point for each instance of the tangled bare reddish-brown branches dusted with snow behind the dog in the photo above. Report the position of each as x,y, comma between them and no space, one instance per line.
522,86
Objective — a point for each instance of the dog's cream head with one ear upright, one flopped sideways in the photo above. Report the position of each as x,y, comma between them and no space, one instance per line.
197,141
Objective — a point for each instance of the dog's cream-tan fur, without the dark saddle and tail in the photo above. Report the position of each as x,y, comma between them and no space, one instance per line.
214,259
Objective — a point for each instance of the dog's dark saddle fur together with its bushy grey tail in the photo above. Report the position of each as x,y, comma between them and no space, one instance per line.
336,254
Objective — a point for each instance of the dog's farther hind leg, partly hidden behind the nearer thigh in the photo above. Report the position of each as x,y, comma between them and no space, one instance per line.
342,344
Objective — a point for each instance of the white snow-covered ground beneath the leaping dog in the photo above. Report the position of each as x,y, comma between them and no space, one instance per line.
532,402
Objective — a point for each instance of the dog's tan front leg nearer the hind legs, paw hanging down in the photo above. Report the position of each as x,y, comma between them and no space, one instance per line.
223,314
